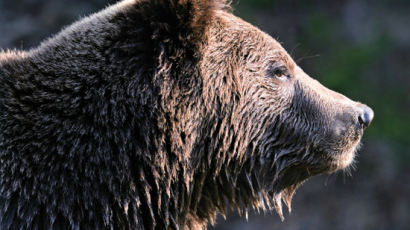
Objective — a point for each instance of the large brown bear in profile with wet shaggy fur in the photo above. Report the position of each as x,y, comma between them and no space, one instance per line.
162,114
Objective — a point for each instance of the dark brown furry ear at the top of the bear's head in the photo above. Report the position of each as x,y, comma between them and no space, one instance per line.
183,19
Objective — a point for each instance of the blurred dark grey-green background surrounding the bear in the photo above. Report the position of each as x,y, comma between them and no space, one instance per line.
359,48
